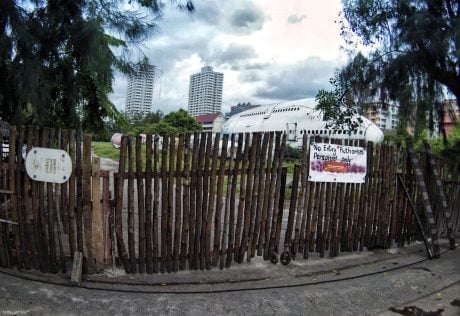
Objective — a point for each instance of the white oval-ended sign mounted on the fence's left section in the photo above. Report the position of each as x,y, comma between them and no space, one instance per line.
48,165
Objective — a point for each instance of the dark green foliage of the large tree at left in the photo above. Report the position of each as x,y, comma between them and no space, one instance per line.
57,57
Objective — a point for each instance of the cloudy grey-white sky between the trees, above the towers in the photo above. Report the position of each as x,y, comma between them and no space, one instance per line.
268,50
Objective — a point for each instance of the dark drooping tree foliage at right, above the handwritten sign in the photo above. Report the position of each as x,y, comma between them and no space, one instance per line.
414,55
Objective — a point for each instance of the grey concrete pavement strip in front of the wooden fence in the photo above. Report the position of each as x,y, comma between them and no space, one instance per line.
384,282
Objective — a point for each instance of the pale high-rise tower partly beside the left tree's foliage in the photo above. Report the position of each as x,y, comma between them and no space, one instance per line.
140,91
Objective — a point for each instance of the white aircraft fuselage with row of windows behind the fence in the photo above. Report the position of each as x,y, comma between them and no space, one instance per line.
296,118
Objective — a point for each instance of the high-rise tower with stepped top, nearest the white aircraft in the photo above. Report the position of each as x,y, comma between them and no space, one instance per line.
205,92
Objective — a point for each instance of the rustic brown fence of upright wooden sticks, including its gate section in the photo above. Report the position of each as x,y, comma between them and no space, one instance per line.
201,201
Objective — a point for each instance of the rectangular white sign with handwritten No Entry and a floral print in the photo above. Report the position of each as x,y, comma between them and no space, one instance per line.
337,163
